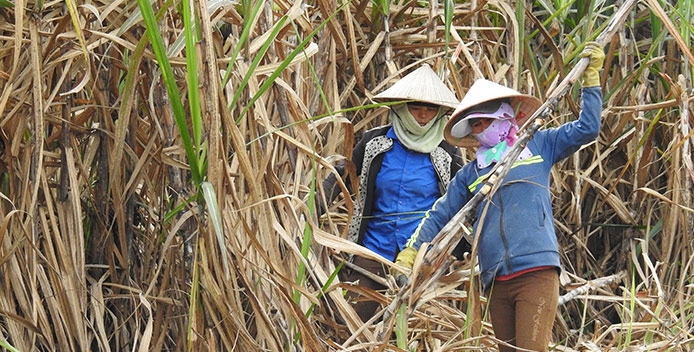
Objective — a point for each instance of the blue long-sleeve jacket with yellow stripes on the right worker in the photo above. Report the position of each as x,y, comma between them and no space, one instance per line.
517,228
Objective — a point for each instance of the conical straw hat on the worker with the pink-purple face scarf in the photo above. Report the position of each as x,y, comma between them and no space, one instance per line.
483,91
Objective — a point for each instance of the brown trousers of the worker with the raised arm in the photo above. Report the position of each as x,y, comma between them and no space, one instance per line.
523,310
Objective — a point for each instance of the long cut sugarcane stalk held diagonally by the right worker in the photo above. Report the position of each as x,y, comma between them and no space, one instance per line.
438,257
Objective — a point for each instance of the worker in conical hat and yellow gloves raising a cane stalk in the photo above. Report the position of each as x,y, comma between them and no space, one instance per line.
518,251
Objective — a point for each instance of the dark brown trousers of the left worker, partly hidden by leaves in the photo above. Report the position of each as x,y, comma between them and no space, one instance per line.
364,307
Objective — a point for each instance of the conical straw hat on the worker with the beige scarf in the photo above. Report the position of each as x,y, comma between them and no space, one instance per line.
421,85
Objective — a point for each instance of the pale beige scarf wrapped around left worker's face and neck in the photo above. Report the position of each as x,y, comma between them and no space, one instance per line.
423,139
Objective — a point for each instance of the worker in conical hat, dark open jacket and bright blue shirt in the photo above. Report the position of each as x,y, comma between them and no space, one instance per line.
402,168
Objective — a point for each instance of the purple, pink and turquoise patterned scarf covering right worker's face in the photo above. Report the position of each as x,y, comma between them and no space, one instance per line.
496,140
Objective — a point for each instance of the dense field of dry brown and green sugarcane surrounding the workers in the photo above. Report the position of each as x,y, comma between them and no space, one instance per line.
163,168
